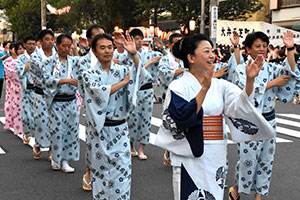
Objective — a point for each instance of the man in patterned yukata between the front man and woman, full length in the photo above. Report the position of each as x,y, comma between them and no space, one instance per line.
139,120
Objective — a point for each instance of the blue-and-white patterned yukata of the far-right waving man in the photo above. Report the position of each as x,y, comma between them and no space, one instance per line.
256,158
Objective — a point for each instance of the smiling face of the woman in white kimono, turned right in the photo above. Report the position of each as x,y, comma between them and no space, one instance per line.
203,57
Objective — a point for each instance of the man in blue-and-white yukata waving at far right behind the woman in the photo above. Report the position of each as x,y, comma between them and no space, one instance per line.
255,161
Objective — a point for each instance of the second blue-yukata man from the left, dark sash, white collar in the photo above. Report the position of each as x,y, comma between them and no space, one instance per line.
40,112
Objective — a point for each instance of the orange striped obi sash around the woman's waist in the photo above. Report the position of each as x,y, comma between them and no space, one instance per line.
213,128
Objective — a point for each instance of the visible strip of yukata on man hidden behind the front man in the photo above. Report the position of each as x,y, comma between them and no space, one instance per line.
85,63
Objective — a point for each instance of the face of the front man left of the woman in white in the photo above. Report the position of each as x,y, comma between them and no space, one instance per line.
104,50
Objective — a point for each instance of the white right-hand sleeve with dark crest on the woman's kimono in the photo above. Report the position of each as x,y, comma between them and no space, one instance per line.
244,121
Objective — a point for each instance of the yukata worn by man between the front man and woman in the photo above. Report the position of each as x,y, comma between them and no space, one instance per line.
139,120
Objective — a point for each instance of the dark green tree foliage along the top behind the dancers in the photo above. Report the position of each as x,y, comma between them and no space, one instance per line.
25,15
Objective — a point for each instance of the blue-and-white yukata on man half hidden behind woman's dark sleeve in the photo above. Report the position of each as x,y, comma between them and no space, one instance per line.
166,71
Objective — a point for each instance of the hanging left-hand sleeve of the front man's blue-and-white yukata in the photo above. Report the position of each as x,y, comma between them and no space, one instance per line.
96,98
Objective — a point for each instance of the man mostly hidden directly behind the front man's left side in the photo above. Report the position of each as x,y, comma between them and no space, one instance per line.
84,63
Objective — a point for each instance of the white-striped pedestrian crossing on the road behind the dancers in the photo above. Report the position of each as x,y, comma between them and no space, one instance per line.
290,120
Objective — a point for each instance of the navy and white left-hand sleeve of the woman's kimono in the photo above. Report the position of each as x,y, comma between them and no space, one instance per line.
182,130
